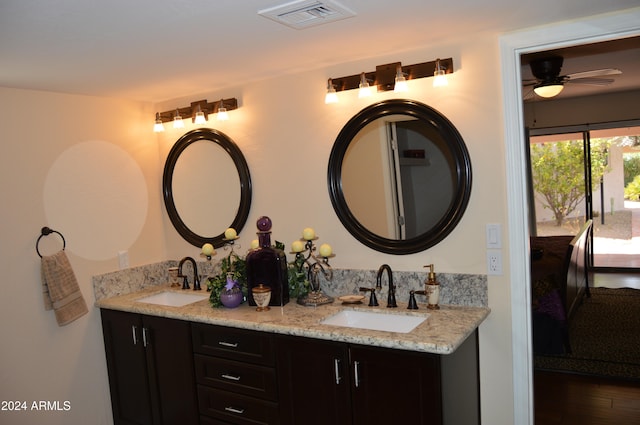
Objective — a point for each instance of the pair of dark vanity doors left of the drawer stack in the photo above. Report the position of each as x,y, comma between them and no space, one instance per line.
150,365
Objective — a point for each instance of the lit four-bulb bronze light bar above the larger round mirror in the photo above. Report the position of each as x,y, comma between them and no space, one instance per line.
393,76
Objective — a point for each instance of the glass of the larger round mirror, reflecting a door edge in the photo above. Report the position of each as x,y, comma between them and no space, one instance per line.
397,177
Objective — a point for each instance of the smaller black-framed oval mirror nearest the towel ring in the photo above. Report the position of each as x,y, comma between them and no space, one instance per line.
206,187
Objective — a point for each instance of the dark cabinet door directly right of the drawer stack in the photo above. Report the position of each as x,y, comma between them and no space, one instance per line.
313,380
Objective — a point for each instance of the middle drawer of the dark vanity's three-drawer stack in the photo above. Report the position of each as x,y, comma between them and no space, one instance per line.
244,378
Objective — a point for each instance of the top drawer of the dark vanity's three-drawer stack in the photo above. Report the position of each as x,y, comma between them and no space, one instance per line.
235,344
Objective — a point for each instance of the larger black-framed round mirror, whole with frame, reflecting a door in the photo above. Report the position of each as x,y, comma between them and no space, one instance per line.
399,176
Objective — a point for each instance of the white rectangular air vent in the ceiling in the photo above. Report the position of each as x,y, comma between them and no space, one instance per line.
300,14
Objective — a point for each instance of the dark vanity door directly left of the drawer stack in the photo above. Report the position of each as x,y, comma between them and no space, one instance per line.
170,358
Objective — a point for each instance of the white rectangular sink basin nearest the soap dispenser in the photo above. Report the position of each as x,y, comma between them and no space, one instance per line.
375,321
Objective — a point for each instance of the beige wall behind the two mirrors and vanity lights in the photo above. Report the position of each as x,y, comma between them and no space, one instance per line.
286,133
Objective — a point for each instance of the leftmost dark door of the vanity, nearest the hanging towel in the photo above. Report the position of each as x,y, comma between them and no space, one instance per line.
127,366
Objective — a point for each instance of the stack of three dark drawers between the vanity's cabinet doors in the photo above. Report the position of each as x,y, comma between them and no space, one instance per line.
236,376
